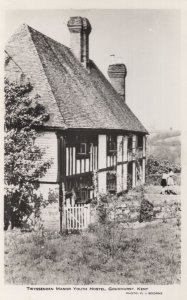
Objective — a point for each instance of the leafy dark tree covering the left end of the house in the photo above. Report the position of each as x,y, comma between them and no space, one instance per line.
24,162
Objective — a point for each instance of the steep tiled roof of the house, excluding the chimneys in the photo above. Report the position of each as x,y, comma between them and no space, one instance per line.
74,96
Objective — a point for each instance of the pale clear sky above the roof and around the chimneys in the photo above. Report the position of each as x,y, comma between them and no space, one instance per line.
147,41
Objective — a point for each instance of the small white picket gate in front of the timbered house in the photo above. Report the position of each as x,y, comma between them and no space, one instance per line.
77,217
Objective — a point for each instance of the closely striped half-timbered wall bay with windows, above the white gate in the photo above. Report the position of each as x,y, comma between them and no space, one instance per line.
81,161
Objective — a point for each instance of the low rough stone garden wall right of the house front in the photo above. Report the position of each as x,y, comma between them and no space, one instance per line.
155,207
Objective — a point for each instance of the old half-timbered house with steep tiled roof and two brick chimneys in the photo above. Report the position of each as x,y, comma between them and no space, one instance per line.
91,133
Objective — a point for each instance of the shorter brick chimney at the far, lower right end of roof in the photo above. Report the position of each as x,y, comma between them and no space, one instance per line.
117,74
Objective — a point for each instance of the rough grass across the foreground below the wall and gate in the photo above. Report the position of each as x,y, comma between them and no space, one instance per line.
149,255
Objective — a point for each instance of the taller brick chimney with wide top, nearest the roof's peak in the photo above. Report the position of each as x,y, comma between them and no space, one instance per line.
80,29
